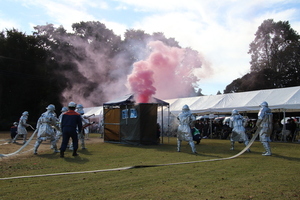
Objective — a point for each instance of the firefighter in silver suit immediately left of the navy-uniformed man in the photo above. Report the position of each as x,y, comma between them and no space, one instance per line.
46,125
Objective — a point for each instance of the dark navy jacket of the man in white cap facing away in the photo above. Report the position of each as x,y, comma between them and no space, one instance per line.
71,121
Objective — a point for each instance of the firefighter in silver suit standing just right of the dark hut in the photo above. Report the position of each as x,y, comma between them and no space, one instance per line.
186,120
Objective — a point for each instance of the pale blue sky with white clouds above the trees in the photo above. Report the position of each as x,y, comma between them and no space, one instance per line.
220,30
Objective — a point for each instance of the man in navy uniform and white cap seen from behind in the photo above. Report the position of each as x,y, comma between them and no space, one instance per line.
70,123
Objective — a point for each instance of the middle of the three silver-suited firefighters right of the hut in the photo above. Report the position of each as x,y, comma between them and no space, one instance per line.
238,130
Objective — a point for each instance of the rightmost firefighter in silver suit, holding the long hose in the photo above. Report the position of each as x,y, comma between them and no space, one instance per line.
264,127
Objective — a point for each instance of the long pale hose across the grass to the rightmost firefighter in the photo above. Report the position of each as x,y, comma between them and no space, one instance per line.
136,166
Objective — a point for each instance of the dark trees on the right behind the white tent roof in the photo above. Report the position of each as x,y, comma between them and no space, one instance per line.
275,59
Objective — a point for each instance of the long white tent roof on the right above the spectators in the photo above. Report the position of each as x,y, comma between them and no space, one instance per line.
279,100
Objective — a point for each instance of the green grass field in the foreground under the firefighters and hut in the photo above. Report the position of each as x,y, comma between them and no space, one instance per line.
249,176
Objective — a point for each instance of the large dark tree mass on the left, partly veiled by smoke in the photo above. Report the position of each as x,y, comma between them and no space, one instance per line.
47,67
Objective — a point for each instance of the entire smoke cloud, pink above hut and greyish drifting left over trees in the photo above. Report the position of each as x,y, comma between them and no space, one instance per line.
98,66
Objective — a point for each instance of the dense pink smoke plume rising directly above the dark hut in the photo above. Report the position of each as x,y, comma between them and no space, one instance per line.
168,72
